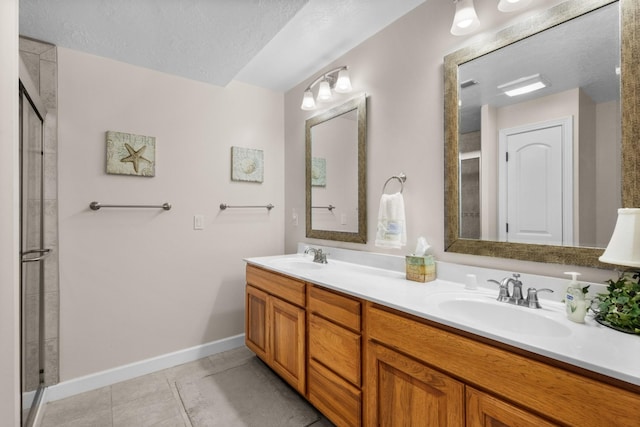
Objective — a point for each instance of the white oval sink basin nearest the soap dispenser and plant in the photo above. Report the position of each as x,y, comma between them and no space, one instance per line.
504,317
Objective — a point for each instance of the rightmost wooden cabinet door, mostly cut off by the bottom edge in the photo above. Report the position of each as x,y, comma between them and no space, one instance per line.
484,410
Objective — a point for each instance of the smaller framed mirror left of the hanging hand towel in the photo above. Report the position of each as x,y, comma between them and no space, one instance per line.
335,158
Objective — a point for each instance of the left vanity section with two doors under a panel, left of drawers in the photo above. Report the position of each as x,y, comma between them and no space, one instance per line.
275,324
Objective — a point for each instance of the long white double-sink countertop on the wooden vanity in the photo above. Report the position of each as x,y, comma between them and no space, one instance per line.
590,345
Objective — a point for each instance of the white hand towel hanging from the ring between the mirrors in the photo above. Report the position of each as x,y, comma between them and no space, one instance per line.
392,232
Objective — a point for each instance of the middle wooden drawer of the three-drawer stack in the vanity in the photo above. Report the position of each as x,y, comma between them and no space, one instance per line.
335,347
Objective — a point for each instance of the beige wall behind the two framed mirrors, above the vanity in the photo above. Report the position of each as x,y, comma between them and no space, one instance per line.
401,69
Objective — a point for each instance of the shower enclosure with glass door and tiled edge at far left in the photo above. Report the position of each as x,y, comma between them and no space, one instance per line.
38,204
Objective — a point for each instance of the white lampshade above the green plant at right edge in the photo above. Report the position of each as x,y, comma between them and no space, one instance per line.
624,246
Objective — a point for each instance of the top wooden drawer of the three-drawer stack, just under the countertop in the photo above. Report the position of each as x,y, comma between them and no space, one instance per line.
341,309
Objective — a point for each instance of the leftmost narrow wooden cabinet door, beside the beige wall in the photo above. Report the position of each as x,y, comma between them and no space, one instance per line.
256,322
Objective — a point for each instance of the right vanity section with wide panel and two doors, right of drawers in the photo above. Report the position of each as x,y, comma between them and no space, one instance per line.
414,363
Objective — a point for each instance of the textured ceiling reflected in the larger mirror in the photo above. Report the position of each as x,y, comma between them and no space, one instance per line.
583,52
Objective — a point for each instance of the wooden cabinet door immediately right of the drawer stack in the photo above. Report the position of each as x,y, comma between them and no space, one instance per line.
401,391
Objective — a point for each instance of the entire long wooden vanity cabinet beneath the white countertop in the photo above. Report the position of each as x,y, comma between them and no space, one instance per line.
363,364
